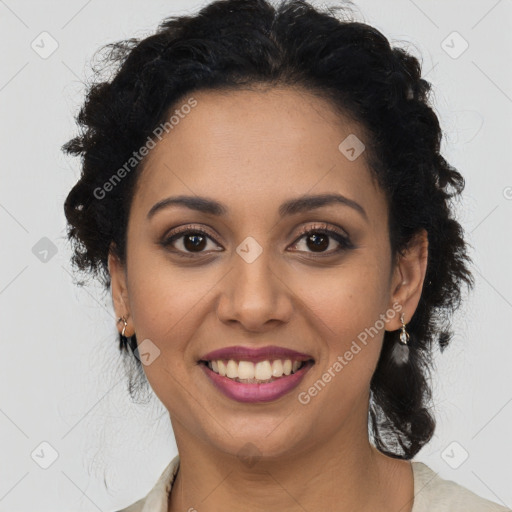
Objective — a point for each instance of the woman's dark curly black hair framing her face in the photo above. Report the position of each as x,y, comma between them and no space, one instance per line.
232,44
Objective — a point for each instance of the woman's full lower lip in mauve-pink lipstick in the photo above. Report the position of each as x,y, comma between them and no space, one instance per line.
257,392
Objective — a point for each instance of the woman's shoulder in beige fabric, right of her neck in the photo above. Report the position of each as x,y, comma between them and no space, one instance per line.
435,494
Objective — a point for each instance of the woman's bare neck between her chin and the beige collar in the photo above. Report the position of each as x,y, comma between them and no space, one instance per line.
342,473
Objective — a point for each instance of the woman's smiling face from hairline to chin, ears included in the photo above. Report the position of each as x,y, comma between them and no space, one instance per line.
255,280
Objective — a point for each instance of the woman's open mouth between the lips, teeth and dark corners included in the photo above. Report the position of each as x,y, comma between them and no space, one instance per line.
248,372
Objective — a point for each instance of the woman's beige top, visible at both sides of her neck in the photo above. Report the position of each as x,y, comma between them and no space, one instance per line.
431,493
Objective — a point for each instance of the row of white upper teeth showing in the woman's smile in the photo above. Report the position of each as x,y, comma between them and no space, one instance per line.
261,371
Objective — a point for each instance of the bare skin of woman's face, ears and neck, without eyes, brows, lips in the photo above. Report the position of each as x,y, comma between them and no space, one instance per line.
252,150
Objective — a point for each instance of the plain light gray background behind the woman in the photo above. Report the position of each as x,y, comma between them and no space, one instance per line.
61,382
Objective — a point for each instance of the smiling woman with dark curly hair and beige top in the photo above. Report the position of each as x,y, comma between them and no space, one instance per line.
262,189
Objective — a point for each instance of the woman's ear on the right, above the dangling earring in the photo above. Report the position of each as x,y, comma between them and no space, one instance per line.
407,280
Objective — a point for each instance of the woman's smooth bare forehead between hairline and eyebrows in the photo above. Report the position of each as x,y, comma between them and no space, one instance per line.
255,148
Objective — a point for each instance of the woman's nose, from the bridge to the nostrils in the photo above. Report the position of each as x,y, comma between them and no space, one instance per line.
255,296
